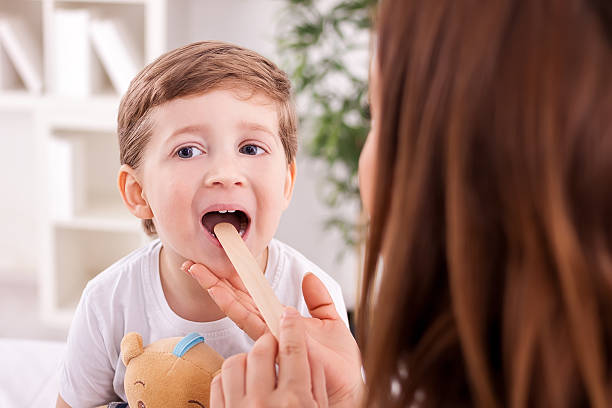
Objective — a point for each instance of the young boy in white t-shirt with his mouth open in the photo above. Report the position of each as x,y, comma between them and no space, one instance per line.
207,133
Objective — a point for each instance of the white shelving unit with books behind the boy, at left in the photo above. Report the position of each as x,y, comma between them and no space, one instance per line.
85,225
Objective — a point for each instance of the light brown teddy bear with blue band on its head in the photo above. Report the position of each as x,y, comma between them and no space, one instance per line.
168,373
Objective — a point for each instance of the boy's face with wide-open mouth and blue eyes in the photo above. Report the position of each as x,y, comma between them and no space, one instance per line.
209,154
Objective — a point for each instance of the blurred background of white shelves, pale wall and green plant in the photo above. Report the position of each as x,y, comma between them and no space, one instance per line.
64,65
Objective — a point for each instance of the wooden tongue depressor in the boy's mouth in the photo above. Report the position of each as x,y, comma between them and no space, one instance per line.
252,276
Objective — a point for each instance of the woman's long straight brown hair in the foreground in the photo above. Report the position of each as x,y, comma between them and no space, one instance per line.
493,209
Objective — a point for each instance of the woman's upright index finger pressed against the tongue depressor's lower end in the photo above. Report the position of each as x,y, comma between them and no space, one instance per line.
294,369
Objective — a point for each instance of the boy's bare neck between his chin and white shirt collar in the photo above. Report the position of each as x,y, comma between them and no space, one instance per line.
184,295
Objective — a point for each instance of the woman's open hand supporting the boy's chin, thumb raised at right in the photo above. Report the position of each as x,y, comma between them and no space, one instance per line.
329,340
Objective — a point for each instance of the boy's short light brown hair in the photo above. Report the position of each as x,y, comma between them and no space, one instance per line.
195,69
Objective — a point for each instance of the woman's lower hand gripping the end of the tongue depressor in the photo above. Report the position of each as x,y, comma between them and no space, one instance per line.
251,380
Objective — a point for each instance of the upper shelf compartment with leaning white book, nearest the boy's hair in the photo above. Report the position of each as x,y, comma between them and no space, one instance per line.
105,43
